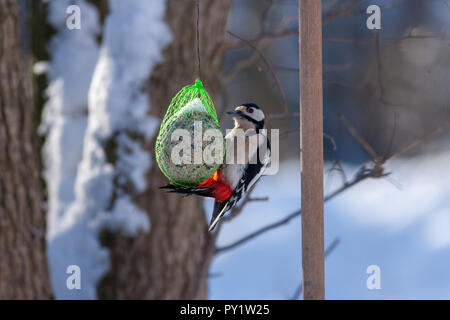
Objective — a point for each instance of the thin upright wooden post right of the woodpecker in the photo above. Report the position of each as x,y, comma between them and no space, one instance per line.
311,145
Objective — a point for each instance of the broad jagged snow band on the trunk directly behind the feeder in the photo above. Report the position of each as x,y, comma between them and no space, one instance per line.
113,162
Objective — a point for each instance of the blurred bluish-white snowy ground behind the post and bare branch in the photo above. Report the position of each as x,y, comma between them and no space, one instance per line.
406,232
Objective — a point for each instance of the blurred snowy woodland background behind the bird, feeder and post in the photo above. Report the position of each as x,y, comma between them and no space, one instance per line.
91,100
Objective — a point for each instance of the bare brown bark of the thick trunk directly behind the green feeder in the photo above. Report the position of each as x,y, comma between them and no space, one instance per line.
165,263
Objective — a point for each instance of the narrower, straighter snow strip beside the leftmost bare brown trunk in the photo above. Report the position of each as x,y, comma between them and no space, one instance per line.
74,54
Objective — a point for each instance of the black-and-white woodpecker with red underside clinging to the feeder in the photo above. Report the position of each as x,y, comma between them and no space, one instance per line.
233,180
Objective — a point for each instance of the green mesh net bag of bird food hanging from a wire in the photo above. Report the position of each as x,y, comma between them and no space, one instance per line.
191,107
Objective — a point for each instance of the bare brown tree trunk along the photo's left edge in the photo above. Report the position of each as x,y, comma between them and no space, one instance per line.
23,265
